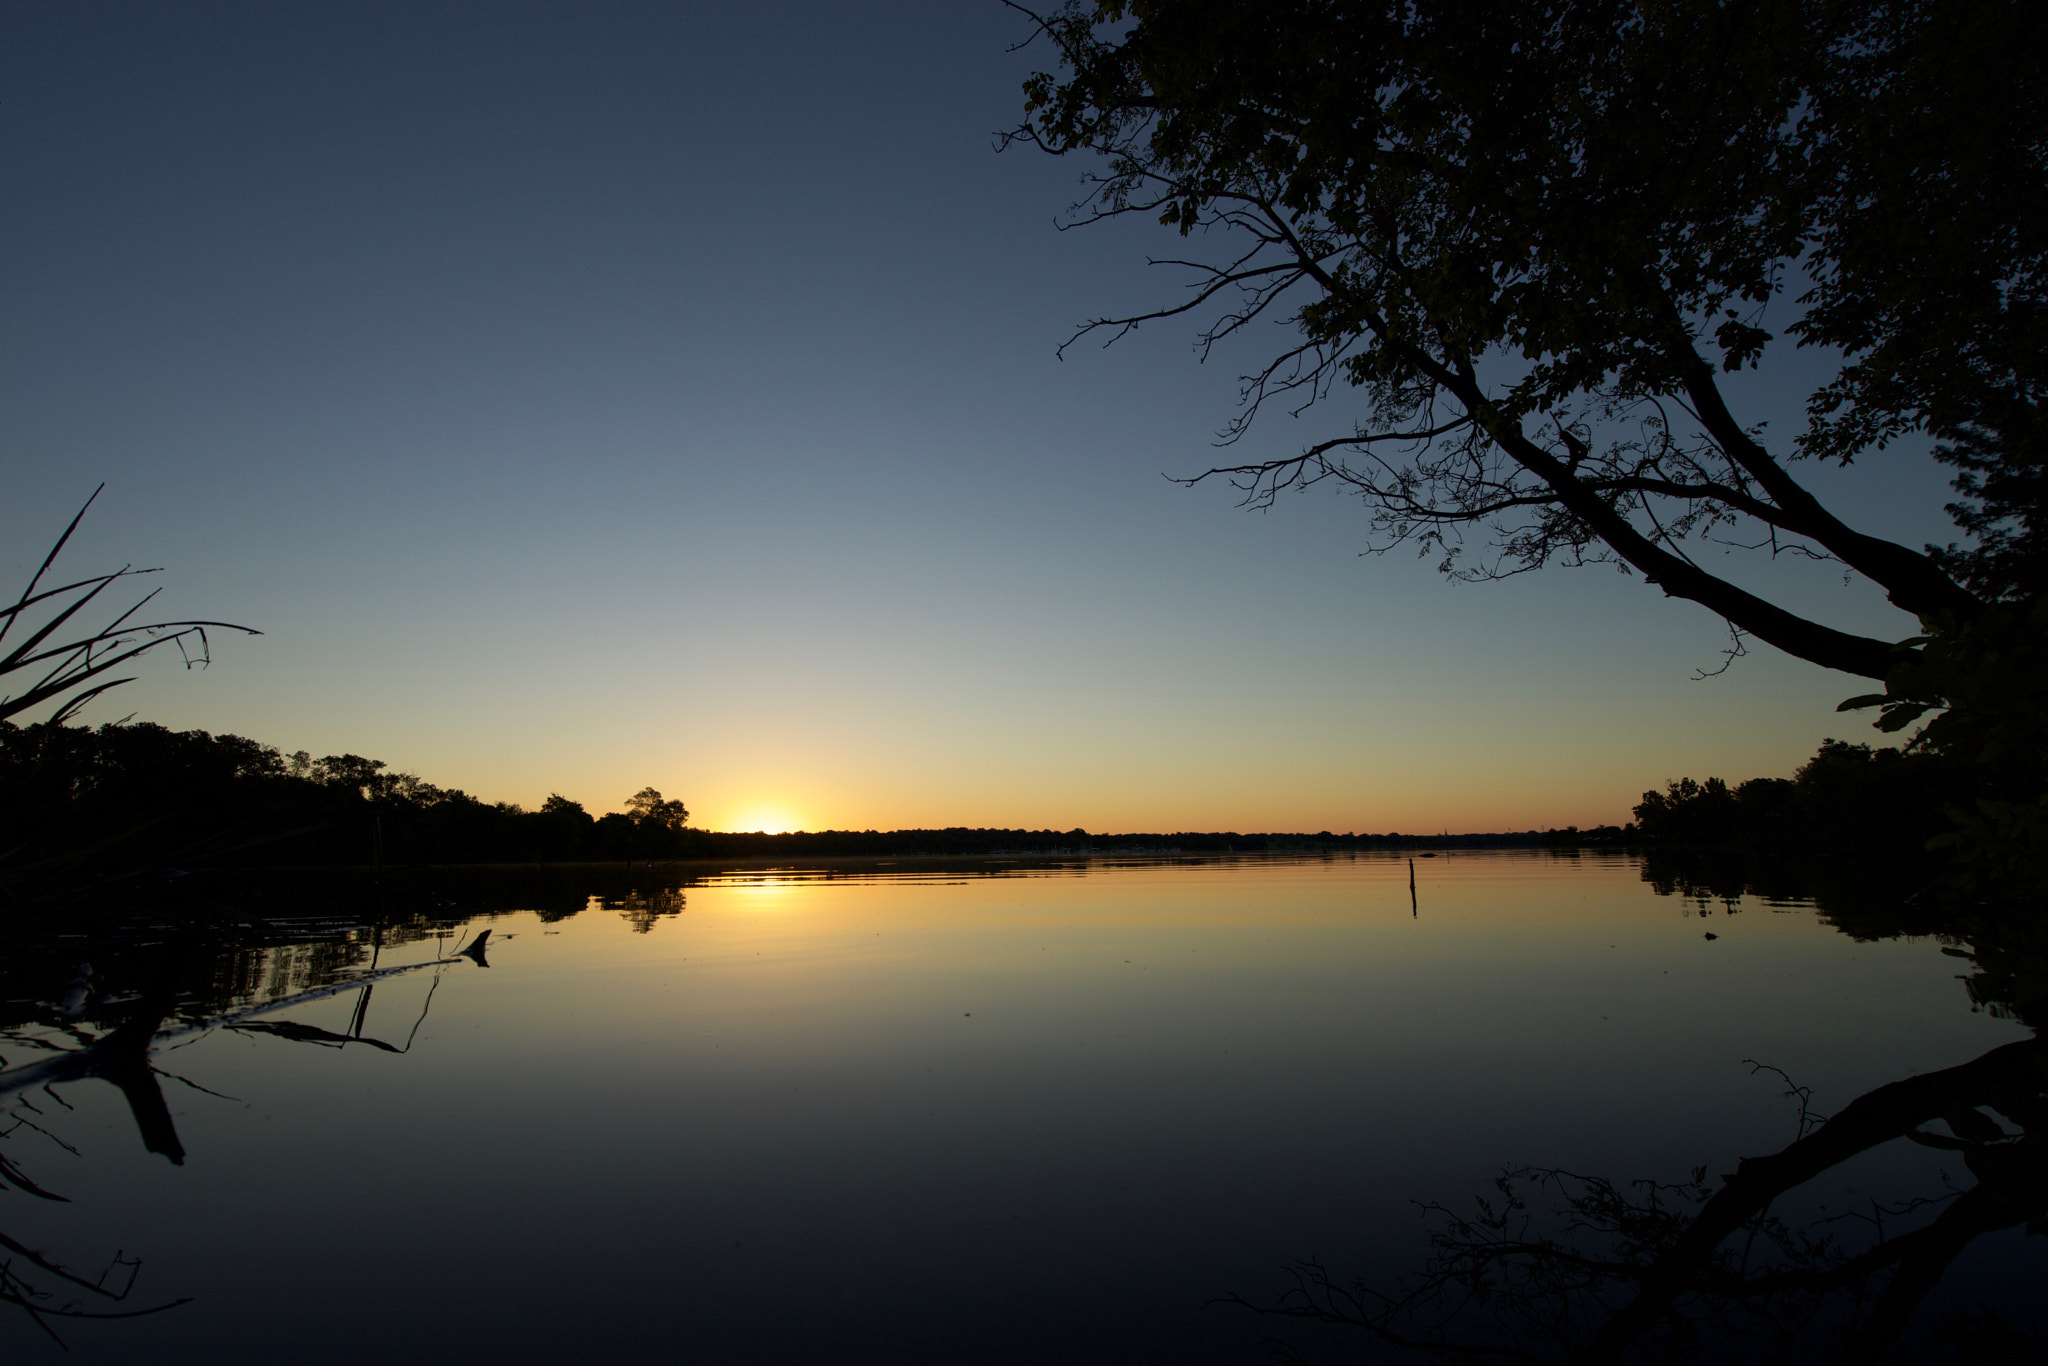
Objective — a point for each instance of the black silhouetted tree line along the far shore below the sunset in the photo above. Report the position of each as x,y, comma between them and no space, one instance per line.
136,798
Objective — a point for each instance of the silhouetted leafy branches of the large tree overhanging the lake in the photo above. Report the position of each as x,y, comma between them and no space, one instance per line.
1535,237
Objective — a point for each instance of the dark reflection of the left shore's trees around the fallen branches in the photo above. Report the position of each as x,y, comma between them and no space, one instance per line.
218,955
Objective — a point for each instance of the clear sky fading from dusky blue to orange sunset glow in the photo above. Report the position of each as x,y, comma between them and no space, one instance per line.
585,398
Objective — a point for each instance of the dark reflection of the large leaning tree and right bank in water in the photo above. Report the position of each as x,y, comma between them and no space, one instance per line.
1558,1267
